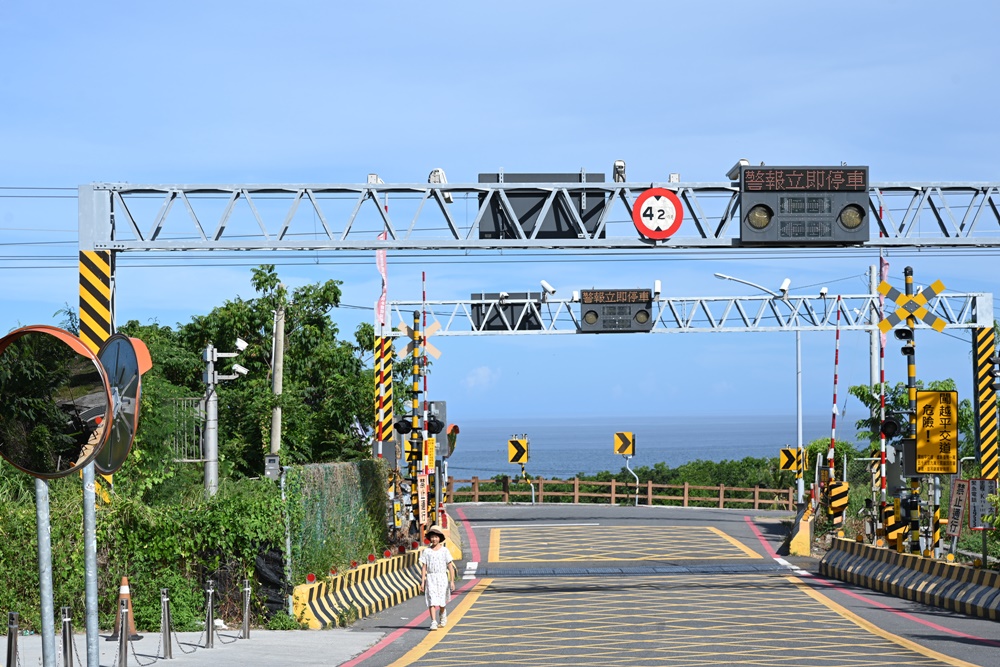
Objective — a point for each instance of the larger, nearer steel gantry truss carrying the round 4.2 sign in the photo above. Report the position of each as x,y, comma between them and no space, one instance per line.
123,217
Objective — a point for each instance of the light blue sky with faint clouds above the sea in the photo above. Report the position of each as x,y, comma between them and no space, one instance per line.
304,92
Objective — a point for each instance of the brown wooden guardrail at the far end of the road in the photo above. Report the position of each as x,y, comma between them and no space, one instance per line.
573,490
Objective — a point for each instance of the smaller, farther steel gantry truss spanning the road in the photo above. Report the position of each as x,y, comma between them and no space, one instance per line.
689,314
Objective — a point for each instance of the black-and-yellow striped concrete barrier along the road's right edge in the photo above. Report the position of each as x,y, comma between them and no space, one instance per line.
959,588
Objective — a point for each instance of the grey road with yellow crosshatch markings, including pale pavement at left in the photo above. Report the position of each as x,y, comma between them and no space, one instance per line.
586,585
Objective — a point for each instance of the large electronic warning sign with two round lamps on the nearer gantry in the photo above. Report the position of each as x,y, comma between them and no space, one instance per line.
804,206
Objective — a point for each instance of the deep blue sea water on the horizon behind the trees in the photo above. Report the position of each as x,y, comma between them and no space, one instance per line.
563,446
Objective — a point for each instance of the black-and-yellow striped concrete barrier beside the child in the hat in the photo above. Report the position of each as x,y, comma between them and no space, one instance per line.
359,592
